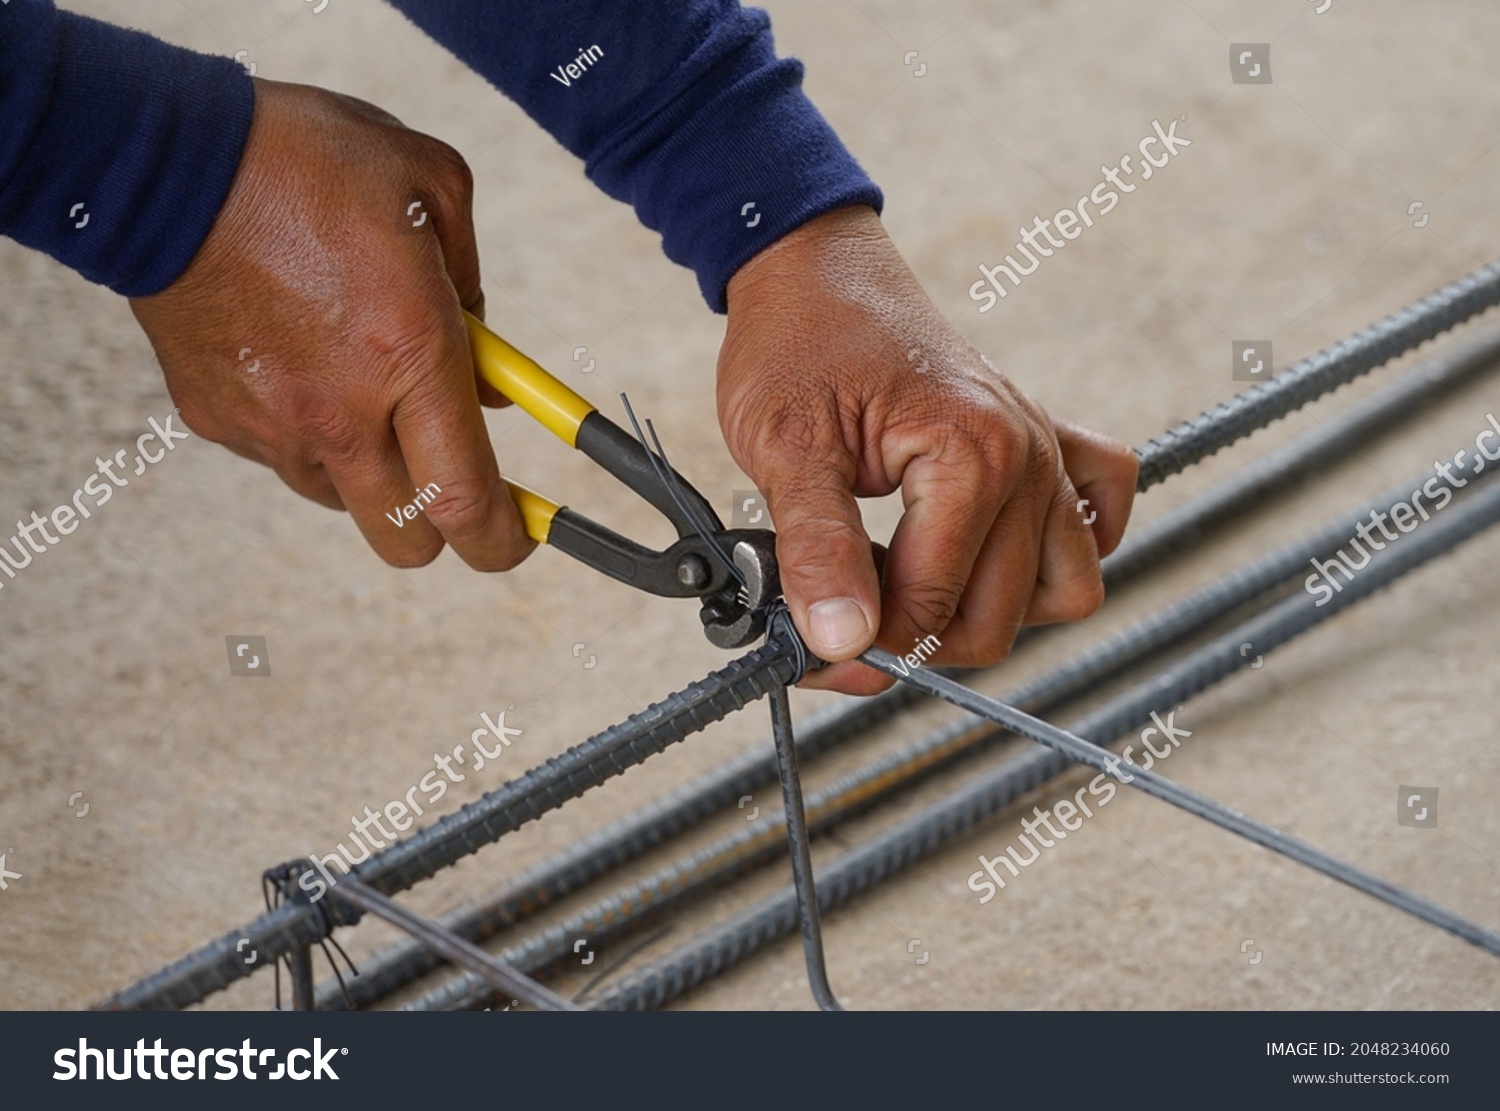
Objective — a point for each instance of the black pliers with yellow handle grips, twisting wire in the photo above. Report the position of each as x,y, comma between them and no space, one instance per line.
733,572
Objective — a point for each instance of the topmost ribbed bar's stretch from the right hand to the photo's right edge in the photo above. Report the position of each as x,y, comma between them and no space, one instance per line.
1321,374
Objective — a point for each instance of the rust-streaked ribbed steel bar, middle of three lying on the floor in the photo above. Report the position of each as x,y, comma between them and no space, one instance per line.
617,917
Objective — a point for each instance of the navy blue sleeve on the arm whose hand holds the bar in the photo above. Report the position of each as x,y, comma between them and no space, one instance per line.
677,107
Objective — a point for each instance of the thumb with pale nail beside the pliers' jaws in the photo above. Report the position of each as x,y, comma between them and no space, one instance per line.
826,560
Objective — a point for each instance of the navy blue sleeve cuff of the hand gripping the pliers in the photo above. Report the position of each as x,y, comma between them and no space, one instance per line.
116,149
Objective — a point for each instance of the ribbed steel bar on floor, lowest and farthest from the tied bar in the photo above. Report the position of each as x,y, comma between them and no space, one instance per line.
956,815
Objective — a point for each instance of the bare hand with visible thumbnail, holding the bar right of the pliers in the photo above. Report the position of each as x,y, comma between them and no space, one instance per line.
839,379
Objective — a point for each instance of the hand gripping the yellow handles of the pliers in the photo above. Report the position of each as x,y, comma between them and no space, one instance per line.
319,329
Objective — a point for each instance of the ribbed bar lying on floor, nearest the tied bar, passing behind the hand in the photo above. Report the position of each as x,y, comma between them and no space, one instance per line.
631,837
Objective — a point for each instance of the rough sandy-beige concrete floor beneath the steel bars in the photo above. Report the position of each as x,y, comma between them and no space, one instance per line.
1288,218
